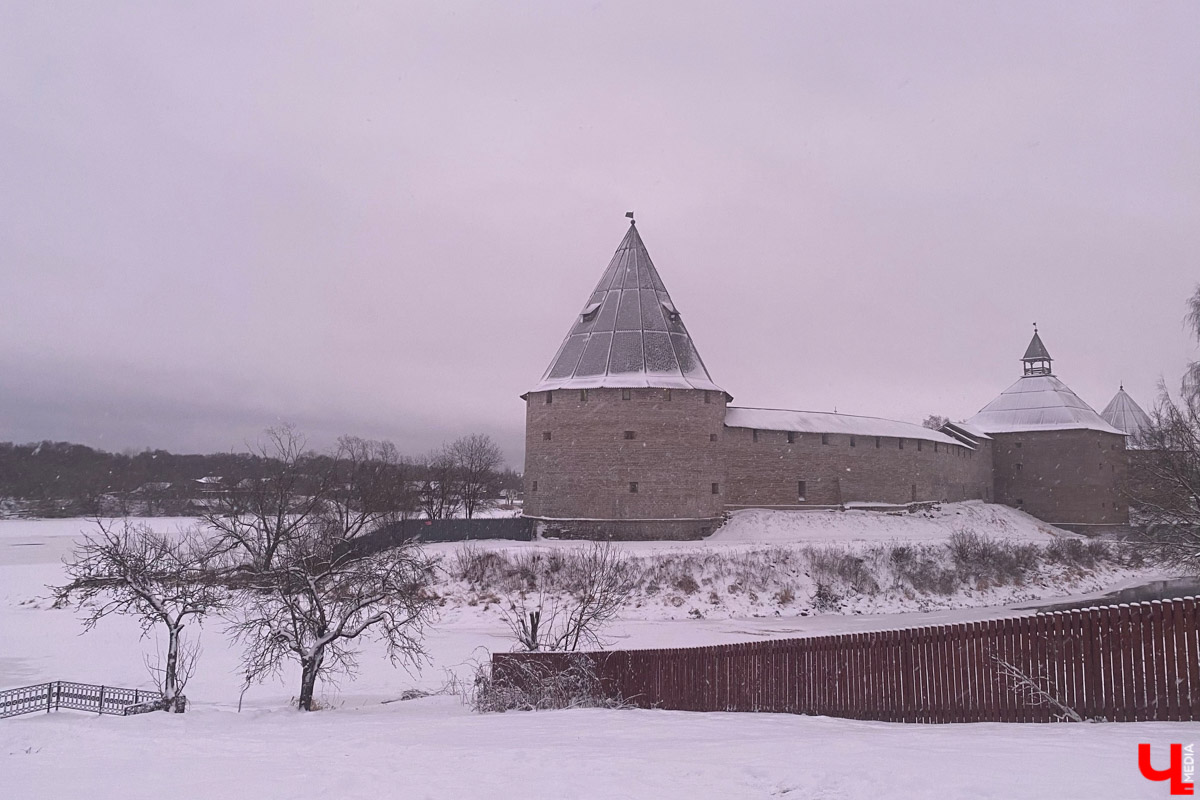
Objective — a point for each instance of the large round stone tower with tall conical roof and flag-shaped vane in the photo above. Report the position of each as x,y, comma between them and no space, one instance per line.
623,431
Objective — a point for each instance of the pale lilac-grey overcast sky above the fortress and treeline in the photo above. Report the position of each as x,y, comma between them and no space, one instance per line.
382,219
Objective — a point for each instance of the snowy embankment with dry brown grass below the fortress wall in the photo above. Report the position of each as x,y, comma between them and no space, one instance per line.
796,564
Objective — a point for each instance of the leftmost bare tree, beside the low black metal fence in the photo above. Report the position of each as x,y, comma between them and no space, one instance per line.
133,570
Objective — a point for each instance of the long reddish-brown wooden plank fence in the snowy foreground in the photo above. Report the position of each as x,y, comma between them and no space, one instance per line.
1124,664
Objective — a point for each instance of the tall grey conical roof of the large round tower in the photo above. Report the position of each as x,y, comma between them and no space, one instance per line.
629,333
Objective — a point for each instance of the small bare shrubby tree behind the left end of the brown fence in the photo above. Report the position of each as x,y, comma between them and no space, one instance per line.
605,580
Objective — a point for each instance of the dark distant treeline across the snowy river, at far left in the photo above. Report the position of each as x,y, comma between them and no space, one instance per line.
61,479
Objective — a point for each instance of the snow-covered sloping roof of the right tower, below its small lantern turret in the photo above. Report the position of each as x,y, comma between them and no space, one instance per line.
1039,404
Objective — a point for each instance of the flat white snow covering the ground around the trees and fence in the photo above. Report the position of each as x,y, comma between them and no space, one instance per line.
365,747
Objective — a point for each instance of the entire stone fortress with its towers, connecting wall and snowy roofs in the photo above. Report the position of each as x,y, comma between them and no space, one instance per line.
628,437
